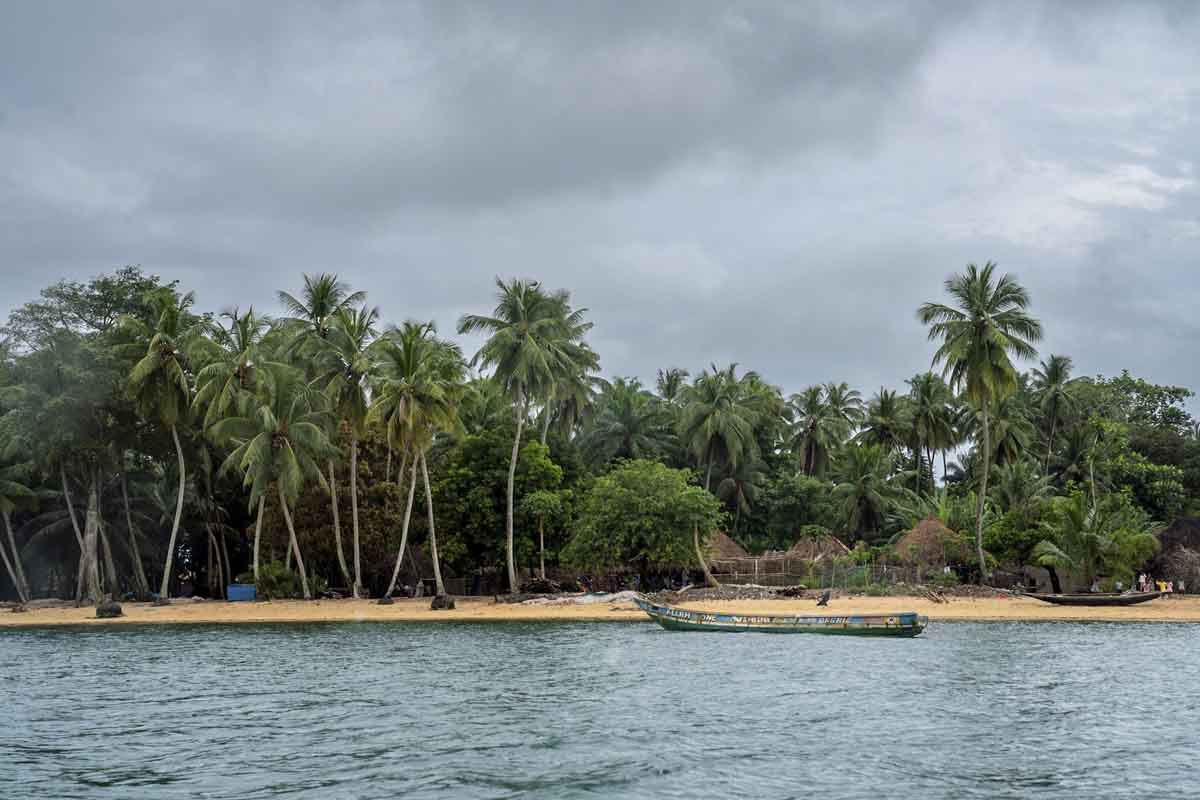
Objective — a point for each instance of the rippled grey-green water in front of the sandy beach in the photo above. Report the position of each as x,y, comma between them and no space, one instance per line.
617,711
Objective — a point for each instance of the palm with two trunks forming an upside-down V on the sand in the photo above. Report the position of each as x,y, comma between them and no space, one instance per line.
421,381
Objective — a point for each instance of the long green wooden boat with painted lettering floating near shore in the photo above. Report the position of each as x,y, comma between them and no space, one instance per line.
902,624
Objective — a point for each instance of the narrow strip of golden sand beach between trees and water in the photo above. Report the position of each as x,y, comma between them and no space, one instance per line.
487,610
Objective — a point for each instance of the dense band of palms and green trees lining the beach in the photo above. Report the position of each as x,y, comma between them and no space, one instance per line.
142,438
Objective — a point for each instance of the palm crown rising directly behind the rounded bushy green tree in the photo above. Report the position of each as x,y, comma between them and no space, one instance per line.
631,424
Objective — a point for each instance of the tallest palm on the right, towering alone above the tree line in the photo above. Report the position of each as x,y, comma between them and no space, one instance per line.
977,339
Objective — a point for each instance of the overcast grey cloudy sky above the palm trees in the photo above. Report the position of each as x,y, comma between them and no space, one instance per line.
776,185
